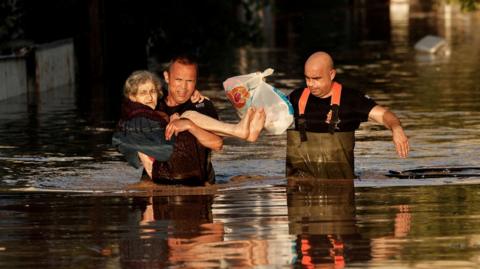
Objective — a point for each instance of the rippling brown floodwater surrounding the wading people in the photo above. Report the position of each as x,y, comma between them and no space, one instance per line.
64,201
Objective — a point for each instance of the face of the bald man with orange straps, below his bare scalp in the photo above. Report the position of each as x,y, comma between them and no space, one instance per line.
319,79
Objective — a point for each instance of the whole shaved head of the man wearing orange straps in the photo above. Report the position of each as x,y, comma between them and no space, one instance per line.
319,74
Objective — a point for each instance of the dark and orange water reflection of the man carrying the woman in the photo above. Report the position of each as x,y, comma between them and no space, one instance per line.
172,231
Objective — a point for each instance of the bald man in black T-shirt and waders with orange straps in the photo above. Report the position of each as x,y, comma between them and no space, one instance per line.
326,117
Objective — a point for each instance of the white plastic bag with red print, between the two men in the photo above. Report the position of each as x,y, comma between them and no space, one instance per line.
251,90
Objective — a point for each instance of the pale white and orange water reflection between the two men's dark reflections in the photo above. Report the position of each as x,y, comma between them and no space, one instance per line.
256,228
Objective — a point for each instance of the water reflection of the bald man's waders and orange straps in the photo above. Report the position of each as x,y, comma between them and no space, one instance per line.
322,216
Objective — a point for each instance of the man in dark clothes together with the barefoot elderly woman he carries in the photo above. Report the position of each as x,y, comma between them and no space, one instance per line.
155,119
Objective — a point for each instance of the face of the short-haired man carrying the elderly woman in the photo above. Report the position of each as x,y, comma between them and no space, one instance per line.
181,80
